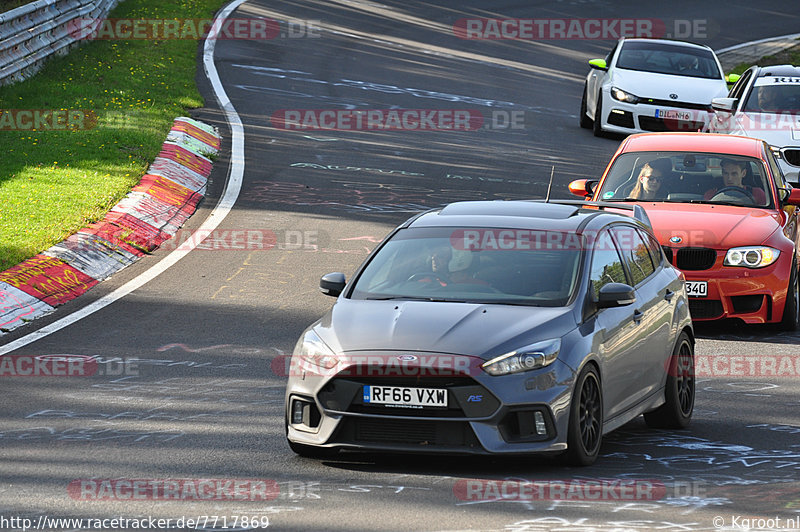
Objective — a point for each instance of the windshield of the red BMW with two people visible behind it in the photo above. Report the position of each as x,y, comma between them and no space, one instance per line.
687,177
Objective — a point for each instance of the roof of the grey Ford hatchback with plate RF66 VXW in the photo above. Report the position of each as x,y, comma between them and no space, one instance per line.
519,214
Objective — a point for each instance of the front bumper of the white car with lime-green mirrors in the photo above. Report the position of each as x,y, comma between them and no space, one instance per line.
627,118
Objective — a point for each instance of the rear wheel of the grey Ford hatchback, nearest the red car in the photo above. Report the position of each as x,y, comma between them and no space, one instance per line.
676,412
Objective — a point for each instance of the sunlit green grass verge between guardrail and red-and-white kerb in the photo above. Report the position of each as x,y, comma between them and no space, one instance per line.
52,183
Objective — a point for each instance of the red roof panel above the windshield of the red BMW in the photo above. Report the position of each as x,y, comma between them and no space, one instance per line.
693,142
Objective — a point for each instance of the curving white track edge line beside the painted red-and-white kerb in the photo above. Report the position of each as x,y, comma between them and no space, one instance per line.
231,193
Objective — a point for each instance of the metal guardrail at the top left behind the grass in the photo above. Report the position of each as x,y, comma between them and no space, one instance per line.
30,34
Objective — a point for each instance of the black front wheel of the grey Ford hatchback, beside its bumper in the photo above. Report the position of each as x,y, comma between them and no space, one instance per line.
585,433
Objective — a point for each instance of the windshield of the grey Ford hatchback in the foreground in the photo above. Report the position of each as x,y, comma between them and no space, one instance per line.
474,265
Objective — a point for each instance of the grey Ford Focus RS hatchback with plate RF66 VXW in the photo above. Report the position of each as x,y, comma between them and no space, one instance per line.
497,328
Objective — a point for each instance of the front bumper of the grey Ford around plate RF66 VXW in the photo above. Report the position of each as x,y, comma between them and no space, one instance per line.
501,422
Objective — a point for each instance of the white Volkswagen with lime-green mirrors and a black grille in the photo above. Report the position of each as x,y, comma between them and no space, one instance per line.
651,85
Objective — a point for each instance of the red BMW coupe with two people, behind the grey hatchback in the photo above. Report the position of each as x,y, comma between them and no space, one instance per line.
724,215
